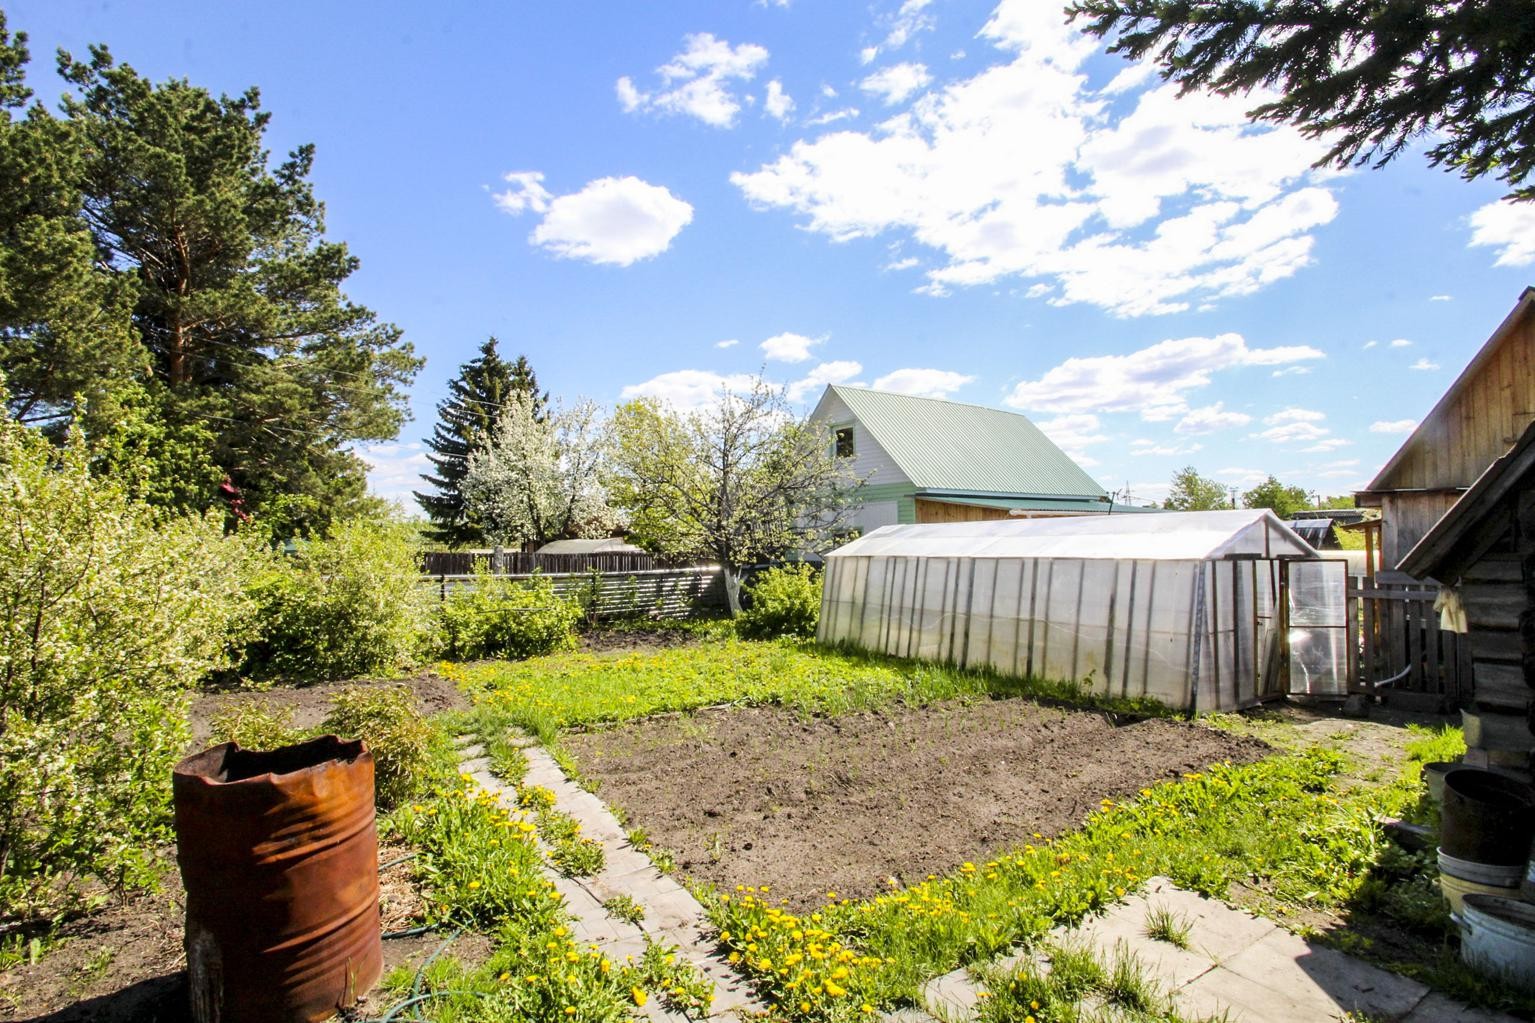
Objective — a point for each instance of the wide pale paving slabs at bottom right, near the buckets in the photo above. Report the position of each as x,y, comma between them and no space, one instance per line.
1236,964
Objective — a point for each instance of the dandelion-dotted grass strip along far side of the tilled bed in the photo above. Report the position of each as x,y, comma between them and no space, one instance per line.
549,695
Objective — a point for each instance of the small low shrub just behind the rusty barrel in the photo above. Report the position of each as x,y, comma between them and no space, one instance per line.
394,730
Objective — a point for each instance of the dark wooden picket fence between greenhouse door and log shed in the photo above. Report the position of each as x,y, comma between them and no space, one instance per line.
1396,635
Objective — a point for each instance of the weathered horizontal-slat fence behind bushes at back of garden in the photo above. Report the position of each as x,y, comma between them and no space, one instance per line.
647,594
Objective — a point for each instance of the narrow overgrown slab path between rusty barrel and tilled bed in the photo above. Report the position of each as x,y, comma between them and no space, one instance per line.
672,915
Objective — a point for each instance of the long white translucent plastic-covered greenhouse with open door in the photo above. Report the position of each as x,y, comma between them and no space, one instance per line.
1201,611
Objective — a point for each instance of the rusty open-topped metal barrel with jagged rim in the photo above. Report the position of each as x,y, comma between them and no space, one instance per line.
279,853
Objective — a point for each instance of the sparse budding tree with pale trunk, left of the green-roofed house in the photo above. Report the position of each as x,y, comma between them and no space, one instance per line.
739,482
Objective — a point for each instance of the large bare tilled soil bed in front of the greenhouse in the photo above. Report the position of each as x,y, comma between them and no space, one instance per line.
753,796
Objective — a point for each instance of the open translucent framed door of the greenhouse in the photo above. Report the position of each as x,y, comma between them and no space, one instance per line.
1316,621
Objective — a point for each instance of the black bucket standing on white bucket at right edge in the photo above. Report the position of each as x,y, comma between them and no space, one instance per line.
1487,818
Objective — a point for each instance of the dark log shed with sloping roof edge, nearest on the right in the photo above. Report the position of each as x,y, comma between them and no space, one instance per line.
1484,551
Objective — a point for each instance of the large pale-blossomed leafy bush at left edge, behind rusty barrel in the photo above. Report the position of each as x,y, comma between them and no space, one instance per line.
108,617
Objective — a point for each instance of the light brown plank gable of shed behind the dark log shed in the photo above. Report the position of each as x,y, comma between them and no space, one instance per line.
1482,414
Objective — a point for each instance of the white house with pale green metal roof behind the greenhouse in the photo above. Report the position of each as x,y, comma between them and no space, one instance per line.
943,462
